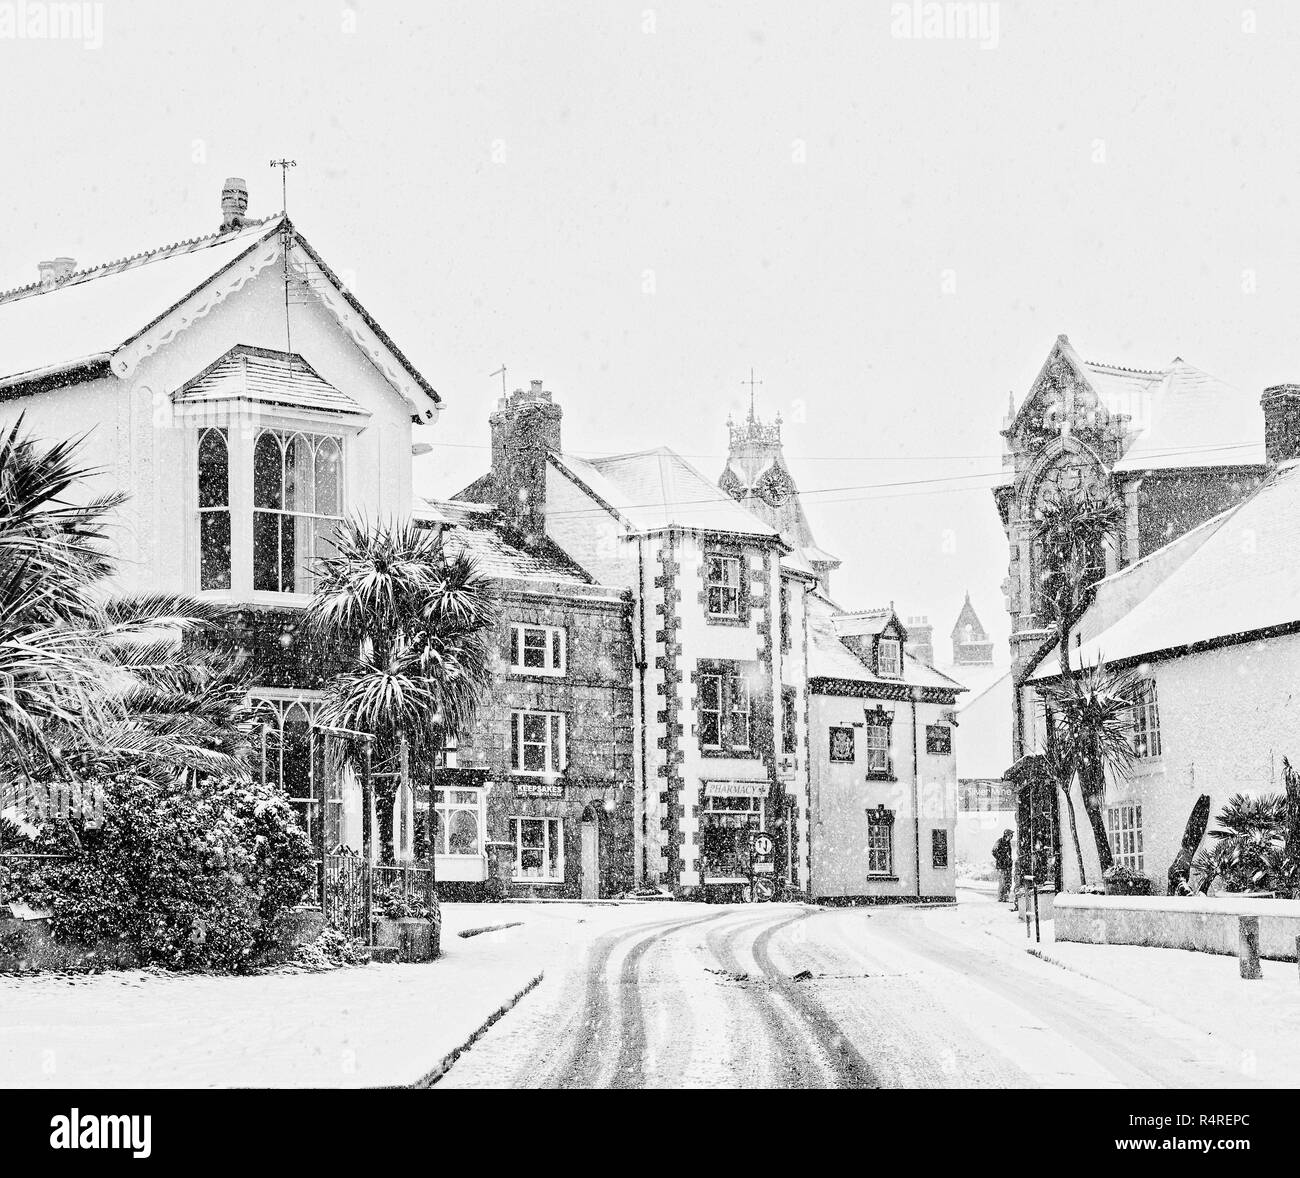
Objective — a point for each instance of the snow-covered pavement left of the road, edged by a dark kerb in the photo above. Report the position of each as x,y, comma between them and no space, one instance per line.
353,1028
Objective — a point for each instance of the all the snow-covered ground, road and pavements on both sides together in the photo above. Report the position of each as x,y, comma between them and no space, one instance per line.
682,995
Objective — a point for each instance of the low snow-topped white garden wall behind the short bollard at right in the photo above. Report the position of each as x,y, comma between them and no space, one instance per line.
1178,923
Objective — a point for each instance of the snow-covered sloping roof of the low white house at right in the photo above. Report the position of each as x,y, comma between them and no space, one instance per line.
1234,577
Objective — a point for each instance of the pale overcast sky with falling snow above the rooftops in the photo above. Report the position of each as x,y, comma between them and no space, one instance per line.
638,202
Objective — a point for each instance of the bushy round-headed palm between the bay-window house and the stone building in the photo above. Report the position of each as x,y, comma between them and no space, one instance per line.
413,627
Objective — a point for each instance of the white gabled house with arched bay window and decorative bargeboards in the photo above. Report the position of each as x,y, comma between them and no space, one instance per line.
246,401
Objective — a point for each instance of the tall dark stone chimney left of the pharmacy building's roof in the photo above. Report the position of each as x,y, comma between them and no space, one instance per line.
525,430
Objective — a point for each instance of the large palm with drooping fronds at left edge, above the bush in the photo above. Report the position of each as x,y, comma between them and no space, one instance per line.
92,685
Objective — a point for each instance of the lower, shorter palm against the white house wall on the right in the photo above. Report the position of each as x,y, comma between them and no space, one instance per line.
1090,731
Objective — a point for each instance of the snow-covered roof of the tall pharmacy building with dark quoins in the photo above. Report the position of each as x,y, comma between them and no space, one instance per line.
657,490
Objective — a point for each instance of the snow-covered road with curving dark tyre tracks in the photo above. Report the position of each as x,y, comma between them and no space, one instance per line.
788,997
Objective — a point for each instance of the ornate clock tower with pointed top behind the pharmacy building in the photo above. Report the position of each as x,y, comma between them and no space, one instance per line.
756,475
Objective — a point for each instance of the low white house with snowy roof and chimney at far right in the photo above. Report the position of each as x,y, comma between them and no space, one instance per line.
1212,623
